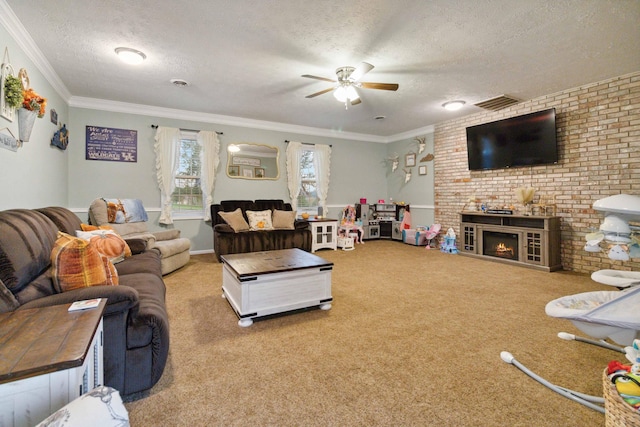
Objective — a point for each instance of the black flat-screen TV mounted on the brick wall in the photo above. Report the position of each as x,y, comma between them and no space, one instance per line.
526,140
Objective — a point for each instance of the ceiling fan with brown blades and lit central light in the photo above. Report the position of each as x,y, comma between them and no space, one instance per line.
348,79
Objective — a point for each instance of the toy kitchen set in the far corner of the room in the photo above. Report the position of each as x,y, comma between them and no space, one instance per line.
381,220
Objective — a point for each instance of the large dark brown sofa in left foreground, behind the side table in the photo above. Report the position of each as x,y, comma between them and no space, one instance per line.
136,326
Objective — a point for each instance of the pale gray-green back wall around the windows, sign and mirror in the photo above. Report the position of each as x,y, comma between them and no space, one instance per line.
357,169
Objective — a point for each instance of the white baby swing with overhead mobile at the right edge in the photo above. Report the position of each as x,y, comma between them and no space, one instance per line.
601,314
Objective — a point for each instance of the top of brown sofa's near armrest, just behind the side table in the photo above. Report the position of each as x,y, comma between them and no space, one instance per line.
119,298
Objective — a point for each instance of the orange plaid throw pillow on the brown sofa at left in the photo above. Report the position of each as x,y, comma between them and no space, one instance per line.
76,263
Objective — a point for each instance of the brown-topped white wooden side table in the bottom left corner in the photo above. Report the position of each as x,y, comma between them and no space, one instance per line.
48,357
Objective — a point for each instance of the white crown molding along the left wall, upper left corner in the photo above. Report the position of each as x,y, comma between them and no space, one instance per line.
14,27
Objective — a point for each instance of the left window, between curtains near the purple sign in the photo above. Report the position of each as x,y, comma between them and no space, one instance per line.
186,198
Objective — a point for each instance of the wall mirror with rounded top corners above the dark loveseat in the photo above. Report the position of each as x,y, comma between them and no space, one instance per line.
252,161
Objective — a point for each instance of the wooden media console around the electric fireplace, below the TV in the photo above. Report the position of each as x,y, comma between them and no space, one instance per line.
537,237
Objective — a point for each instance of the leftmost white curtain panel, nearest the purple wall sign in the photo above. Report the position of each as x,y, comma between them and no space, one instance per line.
167,150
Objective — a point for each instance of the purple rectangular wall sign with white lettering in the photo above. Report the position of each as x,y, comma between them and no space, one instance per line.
115,145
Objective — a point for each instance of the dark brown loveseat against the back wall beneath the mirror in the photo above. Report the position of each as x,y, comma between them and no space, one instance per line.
227,241
